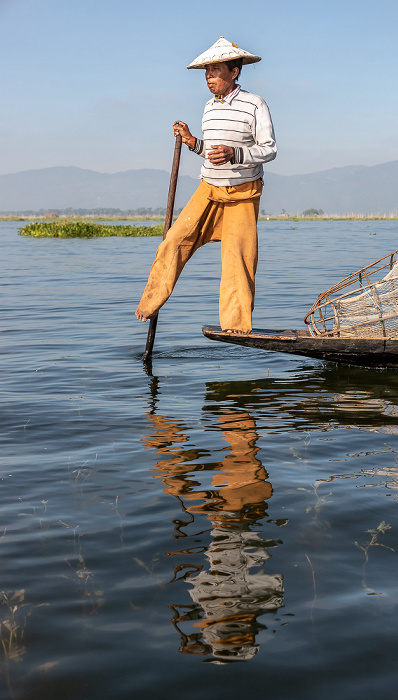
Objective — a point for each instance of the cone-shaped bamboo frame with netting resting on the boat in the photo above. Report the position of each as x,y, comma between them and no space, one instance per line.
362,305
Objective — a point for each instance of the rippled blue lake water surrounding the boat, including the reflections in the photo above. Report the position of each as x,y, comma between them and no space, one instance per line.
224,522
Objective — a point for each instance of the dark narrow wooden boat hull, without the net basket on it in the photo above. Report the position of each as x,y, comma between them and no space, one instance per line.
369,352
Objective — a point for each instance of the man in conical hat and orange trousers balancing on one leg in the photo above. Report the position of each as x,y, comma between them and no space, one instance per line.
238,137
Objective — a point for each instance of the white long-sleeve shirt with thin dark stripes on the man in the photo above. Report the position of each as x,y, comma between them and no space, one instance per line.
245,124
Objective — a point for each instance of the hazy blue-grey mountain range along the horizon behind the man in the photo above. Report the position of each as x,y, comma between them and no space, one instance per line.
350,190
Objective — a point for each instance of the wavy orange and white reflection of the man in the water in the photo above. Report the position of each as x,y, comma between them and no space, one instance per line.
228,597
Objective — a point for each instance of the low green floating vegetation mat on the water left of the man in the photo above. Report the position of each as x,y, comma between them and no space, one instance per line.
82,229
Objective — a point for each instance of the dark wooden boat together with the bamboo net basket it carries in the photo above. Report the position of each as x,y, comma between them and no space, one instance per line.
355,321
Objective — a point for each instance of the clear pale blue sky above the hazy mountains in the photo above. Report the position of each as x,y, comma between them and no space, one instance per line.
98,83
